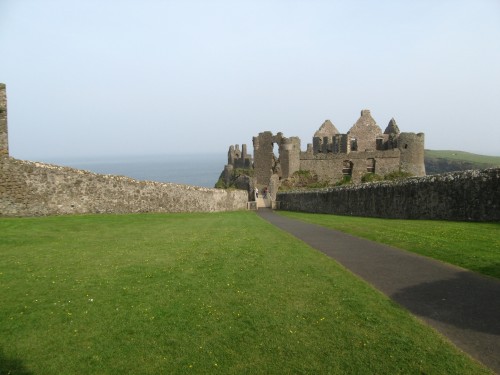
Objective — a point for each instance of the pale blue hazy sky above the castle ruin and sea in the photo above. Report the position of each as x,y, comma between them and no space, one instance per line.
122,77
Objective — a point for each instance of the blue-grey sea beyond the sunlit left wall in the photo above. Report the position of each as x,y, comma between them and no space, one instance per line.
197,170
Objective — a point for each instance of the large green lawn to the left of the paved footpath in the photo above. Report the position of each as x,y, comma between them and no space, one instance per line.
194,294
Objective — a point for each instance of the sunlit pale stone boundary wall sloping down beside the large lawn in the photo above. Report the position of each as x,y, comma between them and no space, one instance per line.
38,189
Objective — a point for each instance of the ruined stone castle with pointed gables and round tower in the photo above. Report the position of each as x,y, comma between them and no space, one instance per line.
332,156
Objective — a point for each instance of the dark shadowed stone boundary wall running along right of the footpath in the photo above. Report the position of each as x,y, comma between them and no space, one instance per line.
462,196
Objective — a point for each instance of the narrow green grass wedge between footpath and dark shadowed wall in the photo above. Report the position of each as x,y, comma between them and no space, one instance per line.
474,246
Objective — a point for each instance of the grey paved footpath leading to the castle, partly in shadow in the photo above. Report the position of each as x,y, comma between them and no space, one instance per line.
461,305
